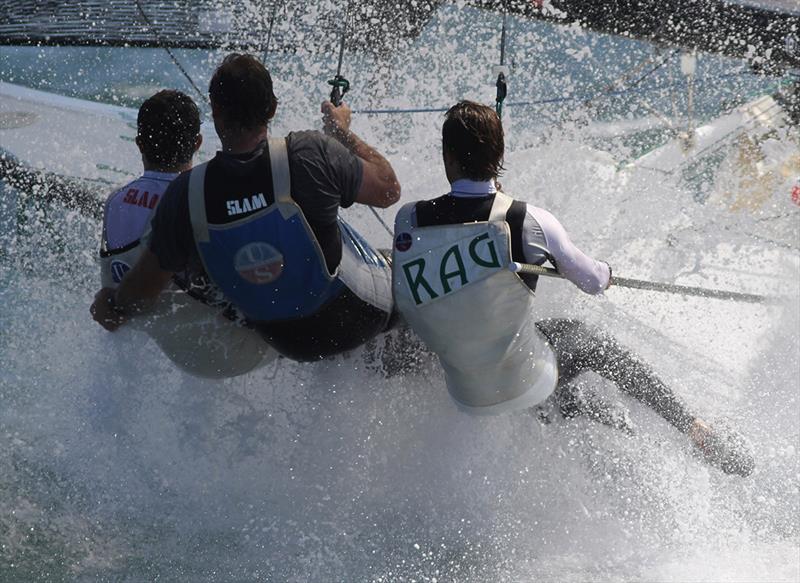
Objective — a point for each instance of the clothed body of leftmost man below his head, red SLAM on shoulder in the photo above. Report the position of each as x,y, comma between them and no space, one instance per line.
194,336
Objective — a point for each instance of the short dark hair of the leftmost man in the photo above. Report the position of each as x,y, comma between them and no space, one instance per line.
168,125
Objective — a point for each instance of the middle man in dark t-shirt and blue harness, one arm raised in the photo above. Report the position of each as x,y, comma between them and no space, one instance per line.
258,226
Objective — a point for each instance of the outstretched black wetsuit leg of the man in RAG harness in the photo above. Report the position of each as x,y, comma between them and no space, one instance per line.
579,347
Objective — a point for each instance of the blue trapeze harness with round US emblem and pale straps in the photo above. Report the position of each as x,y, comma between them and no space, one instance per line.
271,267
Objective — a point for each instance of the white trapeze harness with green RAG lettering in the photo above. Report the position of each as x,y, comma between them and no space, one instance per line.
453,285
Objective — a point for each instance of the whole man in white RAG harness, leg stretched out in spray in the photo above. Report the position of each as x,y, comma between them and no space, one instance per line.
453,286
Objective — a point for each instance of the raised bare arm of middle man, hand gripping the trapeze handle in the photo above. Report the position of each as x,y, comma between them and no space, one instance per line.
379,186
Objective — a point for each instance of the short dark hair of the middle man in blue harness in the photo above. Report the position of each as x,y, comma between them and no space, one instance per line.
241,89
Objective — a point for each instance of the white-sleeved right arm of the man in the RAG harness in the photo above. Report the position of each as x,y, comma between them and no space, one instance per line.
542,228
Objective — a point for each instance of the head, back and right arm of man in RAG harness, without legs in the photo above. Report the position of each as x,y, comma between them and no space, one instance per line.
465,302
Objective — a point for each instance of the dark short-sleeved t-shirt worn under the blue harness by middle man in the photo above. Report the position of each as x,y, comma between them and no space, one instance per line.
325,176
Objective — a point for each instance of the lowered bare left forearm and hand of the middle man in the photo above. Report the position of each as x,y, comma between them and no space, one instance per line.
139,290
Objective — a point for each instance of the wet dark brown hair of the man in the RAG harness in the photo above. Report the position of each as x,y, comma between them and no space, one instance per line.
473,133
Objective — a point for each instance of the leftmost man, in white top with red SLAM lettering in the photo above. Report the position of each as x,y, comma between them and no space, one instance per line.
198,338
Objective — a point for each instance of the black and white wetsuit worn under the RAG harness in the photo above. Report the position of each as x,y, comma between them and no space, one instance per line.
536,237
